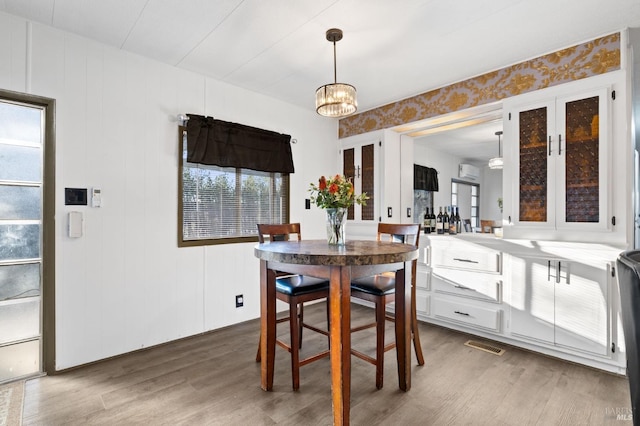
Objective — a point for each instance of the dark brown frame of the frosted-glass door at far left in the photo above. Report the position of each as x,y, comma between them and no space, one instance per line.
48,291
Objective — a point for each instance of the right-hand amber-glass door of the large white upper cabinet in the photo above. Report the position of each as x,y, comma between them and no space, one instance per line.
582,160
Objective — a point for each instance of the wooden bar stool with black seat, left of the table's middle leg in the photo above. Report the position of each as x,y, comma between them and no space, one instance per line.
295,290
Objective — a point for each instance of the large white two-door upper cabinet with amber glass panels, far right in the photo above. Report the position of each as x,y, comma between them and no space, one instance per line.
560,156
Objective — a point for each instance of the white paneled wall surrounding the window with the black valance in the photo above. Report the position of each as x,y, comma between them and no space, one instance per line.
125,284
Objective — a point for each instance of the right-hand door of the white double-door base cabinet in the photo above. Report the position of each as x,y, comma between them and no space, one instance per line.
581,307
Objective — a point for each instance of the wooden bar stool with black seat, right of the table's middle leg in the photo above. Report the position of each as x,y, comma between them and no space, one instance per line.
380,289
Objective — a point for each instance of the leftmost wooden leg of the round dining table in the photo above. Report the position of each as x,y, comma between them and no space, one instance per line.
267,325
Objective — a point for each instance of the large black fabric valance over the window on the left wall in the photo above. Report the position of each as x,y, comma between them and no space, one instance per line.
224,144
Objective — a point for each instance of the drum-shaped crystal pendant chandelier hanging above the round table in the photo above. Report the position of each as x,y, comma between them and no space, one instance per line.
336,99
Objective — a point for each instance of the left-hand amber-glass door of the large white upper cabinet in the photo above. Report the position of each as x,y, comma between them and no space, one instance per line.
535,202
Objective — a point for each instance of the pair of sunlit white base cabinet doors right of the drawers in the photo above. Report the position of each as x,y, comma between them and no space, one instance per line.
560,302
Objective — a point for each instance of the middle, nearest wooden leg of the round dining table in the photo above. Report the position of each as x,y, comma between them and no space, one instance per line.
340,338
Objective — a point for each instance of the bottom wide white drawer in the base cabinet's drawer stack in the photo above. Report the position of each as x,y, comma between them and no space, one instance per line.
475,316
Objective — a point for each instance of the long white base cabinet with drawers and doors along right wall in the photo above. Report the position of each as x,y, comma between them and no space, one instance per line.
556,298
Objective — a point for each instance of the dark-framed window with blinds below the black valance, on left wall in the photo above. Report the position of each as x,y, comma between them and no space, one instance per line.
220,205
